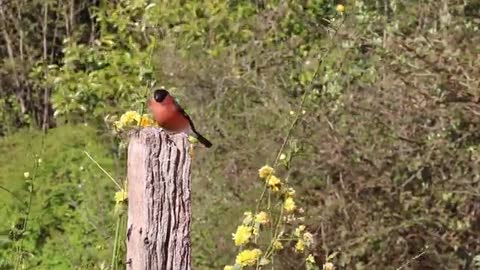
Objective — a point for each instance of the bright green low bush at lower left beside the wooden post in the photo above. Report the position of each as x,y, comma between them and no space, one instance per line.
71,220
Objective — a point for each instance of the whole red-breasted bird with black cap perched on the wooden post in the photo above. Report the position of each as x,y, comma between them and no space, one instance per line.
170,116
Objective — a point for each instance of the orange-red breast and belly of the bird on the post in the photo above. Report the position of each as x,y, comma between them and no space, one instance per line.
168,115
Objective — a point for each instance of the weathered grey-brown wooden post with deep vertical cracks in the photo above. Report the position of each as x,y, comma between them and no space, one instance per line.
159,207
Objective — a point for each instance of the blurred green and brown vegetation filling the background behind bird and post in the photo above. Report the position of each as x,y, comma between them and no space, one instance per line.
385,159
